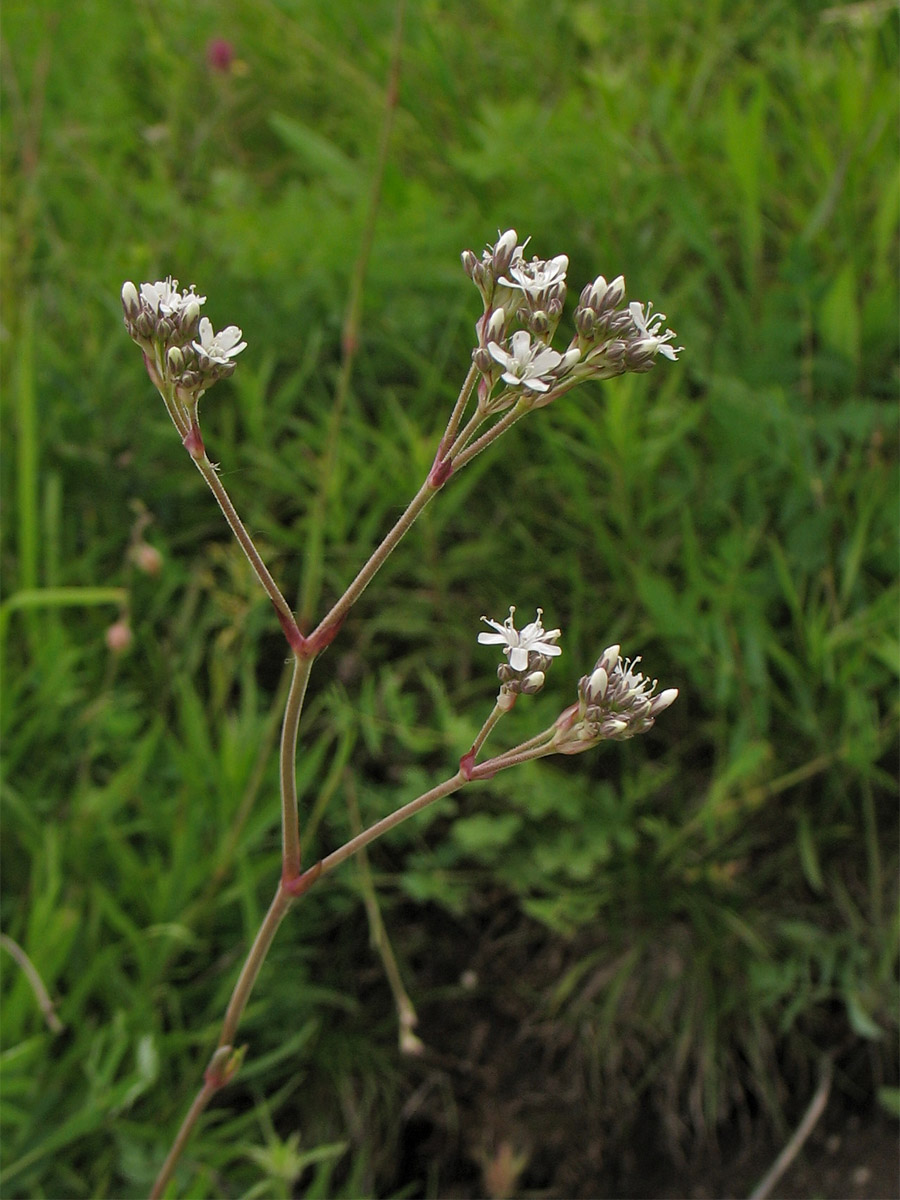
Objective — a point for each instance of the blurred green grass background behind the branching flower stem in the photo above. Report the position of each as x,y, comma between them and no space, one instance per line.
722,895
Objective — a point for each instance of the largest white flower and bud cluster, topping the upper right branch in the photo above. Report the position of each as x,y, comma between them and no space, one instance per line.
520,364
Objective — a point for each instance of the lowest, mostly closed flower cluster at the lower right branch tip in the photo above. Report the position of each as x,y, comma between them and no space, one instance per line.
615,703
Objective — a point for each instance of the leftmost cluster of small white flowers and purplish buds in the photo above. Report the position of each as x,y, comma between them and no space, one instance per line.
181,347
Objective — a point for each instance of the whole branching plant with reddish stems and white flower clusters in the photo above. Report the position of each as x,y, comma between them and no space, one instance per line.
515,370
